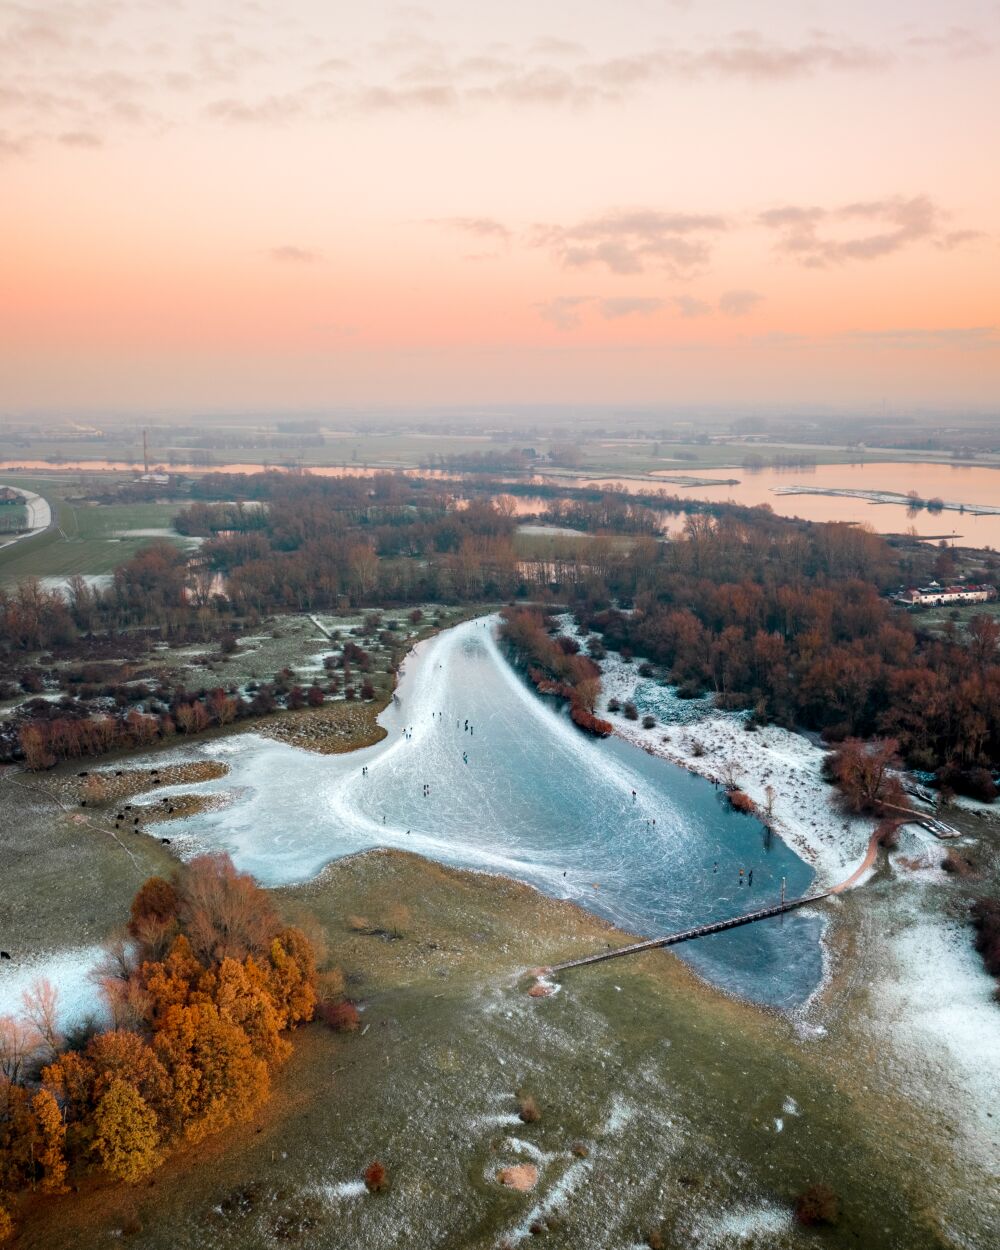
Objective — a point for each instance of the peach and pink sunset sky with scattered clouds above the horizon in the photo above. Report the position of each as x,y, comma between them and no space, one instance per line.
209,204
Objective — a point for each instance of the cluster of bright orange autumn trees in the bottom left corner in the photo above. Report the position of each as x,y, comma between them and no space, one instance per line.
199,997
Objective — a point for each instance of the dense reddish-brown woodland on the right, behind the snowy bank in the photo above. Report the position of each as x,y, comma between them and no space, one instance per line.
793,624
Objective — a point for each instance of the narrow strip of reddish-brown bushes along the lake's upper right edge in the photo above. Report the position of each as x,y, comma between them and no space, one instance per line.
554,666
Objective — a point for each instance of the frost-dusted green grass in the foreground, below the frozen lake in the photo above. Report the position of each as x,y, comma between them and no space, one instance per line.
667,1112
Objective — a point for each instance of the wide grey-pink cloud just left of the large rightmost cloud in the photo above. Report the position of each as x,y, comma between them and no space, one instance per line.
631,242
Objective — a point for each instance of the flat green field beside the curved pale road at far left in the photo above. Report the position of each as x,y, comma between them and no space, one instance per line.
86,538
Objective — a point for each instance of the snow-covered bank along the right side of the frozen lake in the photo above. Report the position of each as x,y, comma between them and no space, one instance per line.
928,1008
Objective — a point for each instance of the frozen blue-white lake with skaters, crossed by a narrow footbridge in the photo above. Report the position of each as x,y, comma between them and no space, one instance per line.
537,801
